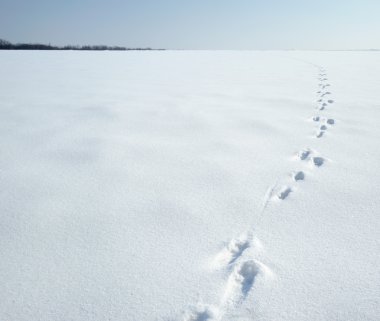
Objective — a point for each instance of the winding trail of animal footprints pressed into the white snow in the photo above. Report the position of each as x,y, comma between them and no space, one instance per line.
243,272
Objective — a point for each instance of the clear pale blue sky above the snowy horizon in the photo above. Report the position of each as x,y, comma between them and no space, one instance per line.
195,24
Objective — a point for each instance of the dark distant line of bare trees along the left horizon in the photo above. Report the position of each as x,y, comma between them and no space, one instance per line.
6,45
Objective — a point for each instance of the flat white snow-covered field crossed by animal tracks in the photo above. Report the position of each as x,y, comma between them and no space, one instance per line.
189,185
